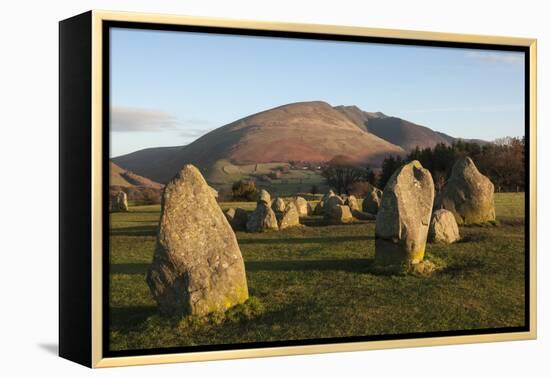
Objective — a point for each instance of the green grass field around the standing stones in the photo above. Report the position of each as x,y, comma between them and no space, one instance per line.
317,281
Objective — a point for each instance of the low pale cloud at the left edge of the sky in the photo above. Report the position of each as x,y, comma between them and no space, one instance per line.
139,119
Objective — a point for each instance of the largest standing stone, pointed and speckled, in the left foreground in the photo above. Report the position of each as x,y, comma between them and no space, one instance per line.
197,266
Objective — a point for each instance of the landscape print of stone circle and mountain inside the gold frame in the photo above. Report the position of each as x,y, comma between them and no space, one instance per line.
269,190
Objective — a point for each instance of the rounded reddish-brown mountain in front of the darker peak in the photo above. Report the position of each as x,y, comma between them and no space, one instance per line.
305,131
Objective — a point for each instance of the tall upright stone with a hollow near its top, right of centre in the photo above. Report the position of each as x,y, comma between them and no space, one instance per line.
404,216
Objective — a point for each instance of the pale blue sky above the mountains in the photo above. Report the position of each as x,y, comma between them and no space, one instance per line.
168,88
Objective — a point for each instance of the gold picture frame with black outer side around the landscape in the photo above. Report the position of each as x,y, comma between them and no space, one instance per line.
87,32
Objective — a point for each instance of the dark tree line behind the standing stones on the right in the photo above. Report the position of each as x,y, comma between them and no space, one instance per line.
503,161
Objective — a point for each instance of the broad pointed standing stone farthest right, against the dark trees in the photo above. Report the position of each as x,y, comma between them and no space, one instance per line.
468,194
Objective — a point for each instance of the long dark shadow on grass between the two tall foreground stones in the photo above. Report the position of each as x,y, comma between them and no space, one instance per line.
348,265
